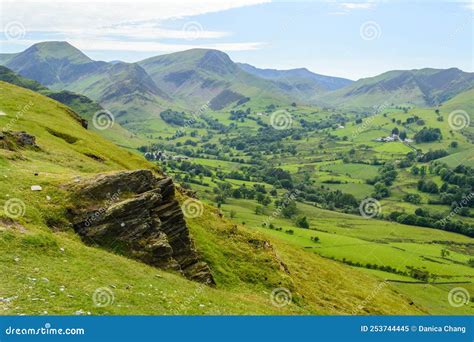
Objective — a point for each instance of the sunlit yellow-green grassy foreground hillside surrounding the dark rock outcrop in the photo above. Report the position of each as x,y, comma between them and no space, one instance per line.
48,270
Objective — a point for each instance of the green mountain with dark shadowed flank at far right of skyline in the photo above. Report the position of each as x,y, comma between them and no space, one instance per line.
423,87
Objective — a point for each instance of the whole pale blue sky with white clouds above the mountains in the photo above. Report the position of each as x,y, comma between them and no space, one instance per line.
337,38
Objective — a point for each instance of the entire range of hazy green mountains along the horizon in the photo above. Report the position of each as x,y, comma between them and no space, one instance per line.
189,79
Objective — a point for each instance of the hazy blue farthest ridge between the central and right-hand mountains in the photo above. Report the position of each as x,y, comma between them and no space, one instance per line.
299,82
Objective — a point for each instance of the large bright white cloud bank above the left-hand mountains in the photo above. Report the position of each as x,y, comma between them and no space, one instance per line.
109,23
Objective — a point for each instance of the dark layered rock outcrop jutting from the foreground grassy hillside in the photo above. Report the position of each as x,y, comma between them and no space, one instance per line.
136,214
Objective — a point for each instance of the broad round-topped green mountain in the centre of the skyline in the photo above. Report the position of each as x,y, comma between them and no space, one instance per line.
196,76
